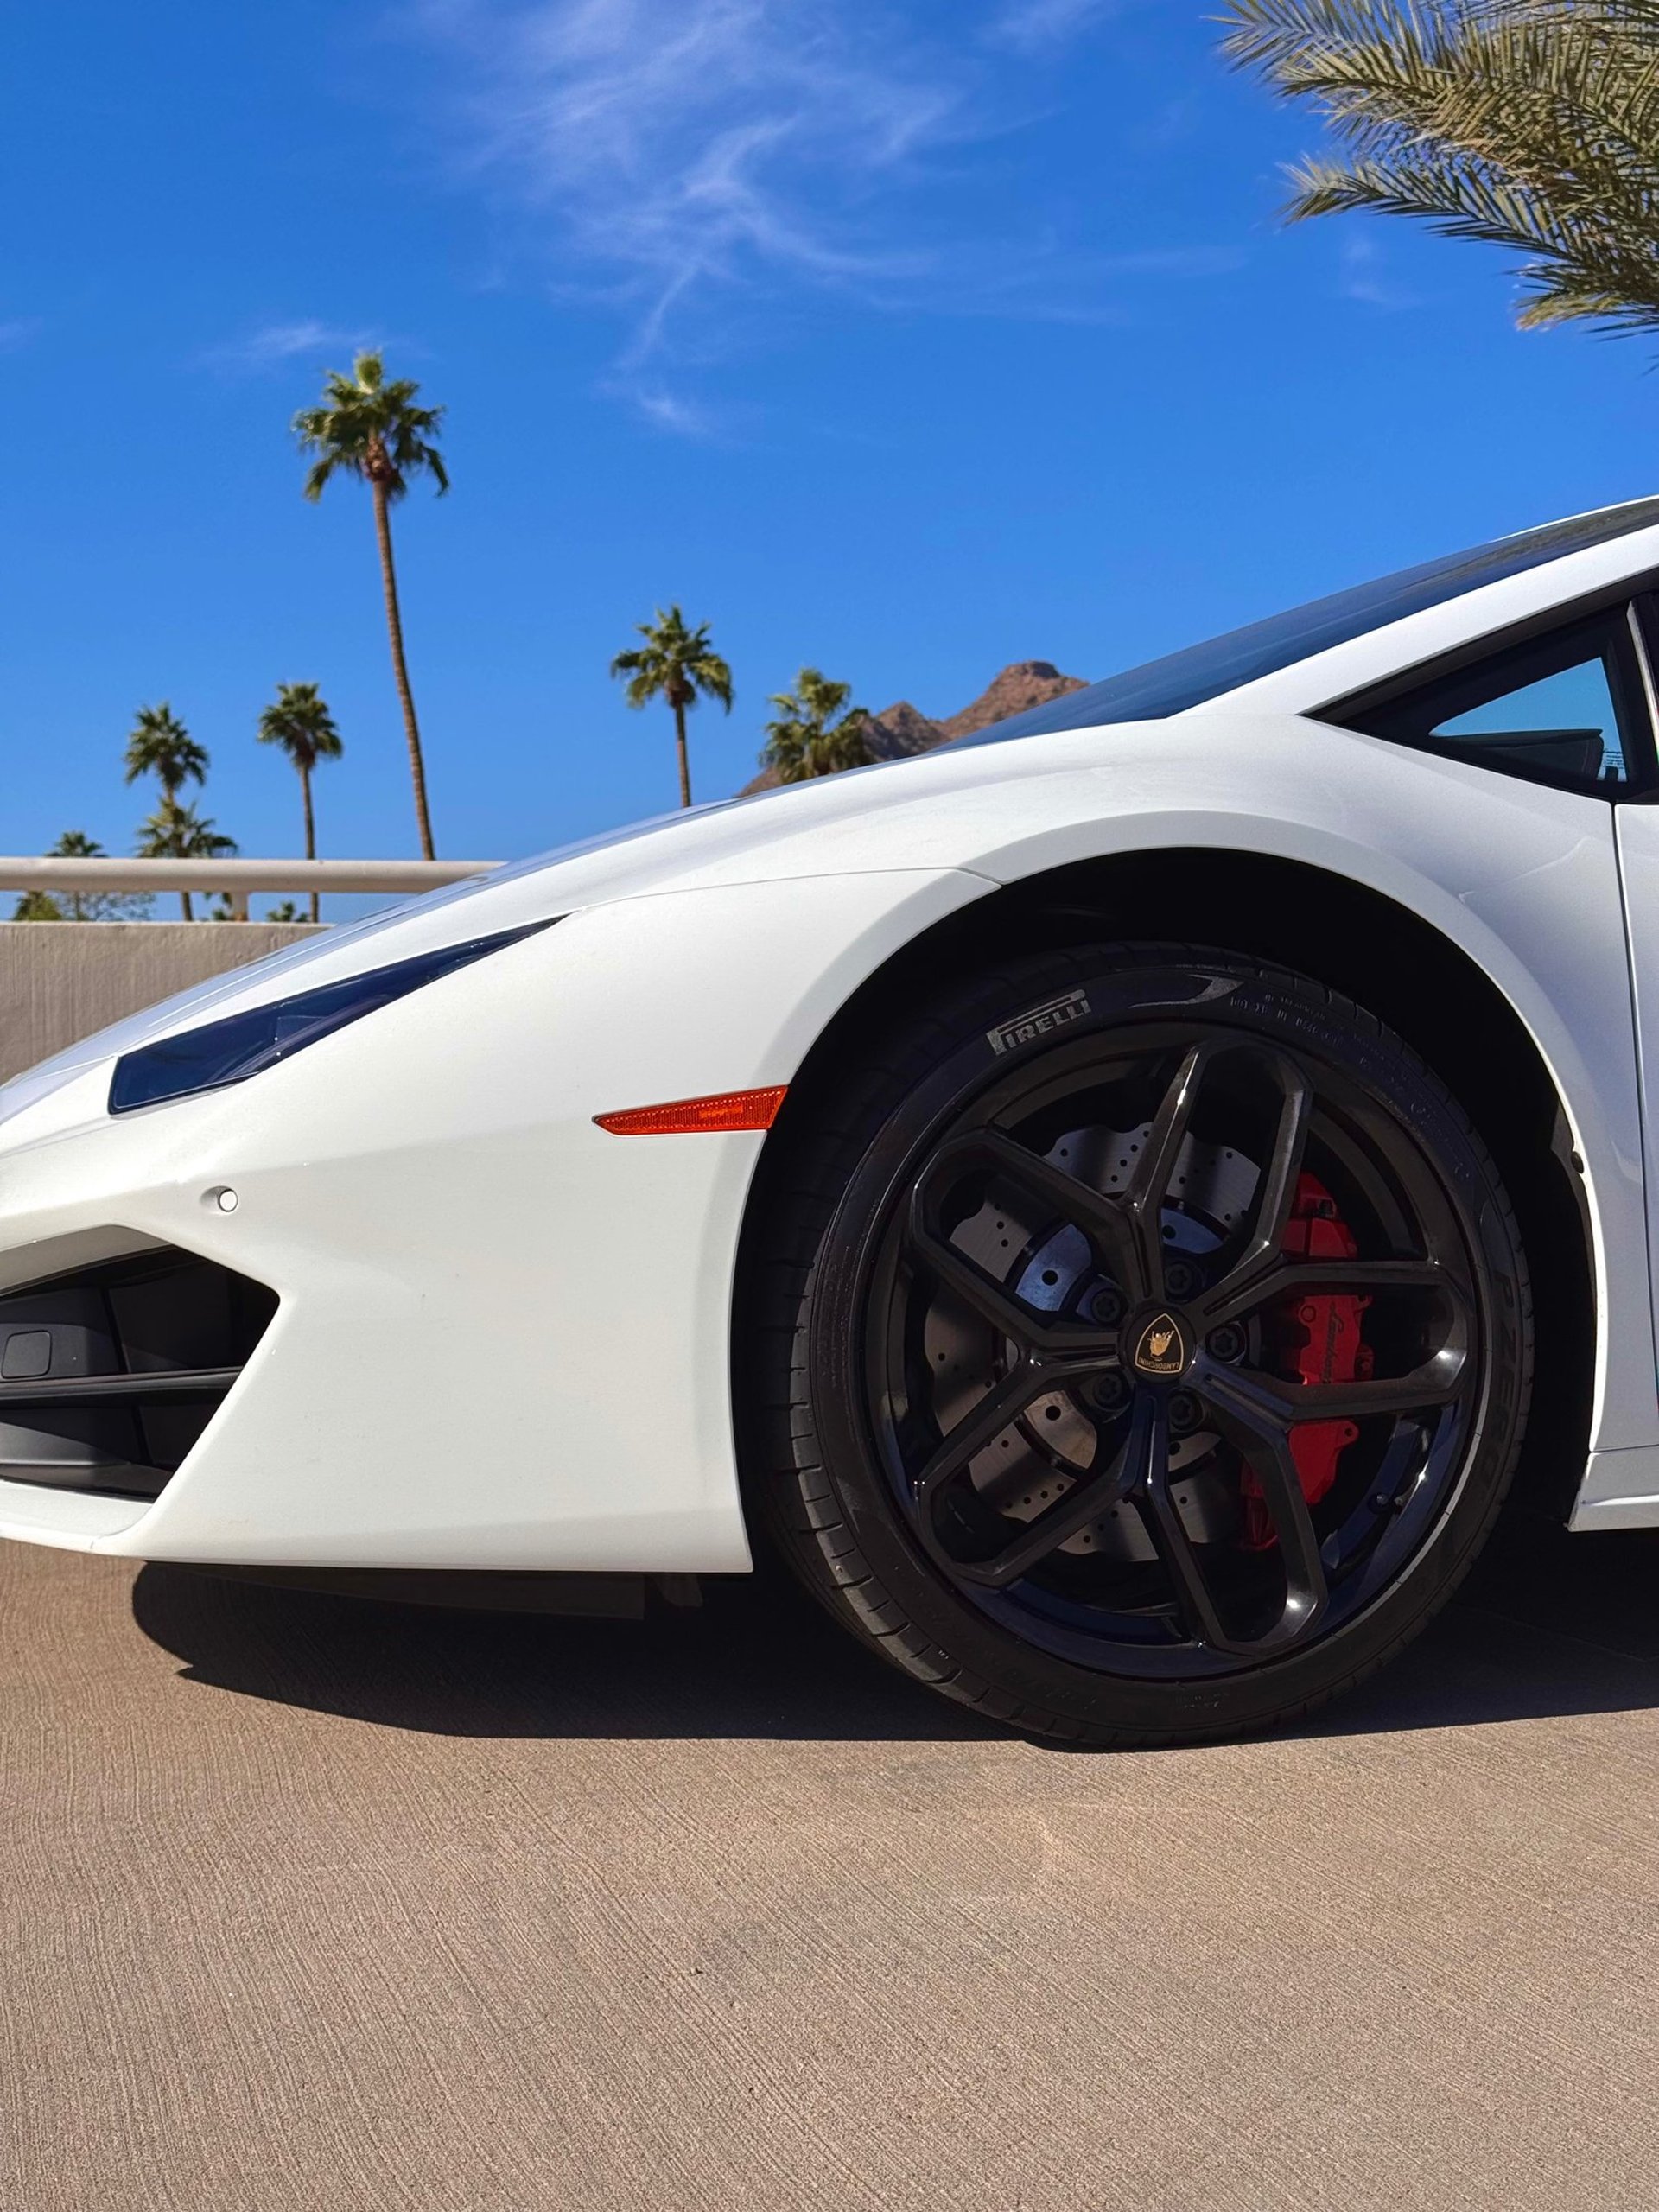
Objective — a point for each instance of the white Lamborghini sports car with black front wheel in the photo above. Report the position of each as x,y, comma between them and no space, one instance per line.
1109,1196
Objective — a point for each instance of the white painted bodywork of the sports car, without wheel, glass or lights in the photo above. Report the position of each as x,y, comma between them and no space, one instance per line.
505,1335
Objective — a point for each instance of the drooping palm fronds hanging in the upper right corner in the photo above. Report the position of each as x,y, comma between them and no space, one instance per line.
1530,125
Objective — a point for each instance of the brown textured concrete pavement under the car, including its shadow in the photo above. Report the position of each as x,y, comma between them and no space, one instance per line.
317,1903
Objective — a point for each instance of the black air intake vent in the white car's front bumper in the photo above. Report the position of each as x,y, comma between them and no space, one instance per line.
112,1375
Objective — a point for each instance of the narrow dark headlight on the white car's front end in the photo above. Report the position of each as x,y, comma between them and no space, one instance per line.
244,1043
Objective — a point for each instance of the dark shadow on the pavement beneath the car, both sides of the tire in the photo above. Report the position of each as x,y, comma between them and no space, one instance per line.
1545,1627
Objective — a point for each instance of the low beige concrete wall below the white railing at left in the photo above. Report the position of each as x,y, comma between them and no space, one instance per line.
63,981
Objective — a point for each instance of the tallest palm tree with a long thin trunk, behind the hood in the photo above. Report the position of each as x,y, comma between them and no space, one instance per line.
373,428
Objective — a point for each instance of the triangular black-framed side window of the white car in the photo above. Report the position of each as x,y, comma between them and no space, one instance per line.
1563,709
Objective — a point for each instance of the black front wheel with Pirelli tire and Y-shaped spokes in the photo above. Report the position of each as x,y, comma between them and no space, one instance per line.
1213,1594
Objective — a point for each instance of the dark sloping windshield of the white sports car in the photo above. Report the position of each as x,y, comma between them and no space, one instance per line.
1262,649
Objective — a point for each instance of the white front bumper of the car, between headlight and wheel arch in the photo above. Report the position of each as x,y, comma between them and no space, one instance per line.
501,1335
